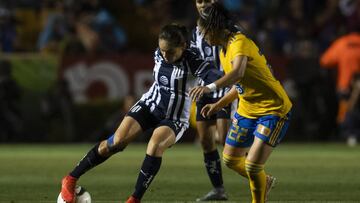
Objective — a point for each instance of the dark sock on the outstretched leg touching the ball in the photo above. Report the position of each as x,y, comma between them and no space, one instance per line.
90,160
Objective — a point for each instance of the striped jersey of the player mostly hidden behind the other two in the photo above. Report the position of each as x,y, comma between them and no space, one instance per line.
208,53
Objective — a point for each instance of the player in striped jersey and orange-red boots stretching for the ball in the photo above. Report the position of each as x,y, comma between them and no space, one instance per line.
165,108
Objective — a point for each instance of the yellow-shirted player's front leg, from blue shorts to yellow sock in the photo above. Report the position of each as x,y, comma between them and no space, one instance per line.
269,132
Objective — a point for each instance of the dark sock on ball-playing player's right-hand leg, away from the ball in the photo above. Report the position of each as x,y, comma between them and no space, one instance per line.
149,169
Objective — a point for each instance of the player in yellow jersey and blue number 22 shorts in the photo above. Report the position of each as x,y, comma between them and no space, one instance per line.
263,112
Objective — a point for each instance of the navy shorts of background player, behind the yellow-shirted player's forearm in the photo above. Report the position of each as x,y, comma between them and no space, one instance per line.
224,113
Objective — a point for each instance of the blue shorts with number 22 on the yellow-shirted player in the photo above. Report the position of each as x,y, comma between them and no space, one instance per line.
270,128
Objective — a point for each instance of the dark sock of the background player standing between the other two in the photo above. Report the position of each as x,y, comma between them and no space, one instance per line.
213,168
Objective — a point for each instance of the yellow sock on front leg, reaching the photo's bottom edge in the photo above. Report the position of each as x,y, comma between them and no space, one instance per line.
257,180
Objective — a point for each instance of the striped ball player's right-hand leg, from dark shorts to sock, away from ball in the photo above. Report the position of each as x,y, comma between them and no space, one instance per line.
164,136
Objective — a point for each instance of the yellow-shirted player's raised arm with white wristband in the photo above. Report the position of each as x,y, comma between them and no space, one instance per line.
239,64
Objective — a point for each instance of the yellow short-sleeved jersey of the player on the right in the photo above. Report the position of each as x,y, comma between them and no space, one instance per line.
259,92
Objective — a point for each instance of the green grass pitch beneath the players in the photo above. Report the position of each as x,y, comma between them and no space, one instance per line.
305,173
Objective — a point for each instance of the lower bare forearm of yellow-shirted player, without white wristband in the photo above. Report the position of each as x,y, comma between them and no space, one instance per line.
229,97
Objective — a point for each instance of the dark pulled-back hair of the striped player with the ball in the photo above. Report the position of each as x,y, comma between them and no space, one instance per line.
174,34
